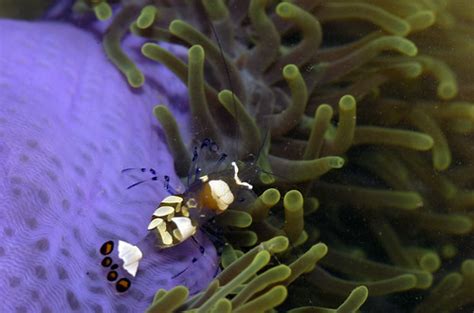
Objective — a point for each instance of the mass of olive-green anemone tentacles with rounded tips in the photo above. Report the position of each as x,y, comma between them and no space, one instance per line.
398,216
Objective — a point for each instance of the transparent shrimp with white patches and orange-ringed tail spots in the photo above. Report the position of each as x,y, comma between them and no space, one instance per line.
176,219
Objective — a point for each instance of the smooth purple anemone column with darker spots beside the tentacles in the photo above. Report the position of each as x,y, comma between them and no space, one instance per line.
68,124
